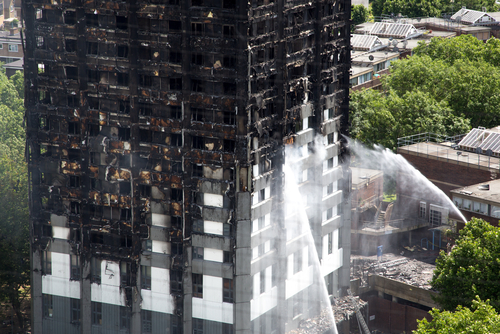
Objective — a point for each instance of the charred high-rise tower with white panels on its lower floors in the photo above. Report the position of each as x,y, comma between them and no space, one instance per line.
156,134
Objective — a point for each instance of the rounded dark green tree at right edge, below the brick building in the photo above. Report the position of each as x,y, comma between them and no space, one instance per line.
471,269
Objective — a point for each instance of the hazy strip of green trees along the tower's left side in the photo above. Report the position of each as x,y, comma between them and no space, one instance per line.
14,212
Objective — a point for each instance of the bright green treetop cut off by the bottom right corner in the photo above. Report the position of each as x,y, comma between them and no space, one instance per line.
480,319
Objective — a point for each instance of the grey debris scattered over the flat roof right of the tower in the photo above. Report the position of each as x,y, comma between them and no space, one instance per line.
399,268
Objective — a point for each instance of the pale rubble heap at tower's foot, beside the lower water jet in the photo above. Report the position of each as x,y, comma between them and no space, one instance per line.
343,310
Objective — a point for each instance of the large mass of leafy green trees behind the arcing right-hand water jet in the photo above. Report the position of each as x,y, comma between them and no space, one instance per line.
446,87
